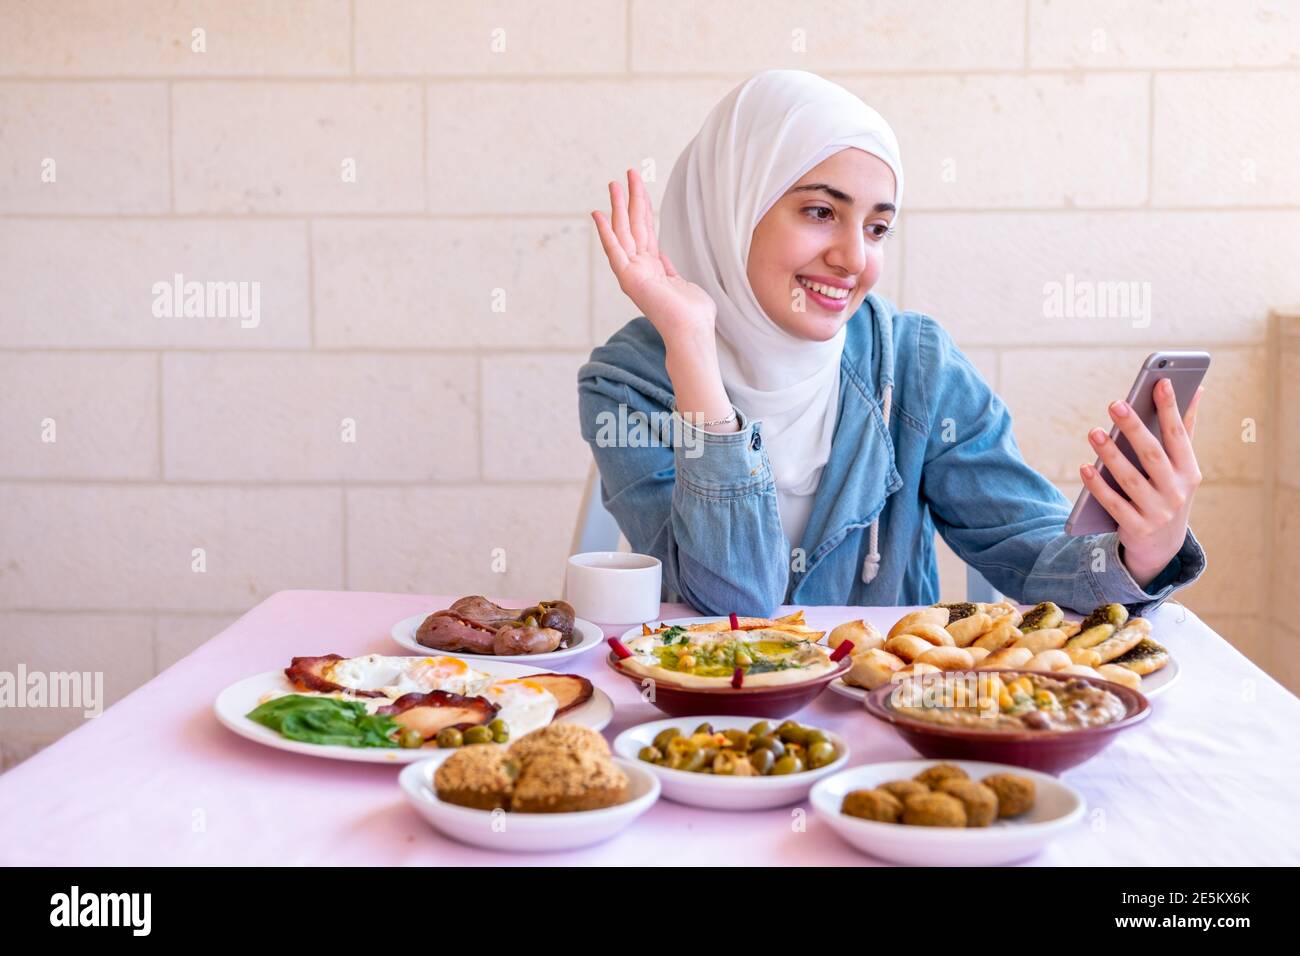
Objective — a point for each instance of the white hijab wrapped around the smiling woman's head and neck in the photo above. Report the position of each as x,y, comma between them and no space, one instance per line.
756,144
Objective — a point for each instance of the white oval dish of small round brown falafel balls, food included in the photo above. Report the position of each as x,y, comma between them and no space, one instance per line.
957,814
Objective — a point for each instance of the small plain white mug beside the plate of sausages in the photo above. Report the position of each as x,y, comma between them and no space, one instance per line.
614,587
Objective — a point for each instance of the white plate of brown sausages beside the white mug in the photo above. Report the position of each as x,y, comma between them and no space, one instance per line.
475,628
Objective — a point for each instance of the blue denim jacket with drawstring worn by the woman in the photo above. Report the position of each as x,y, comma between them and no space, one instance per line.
707,504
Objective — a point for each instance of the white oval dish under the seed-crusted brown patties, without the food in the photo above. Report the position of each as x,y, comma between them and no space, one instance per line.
528,832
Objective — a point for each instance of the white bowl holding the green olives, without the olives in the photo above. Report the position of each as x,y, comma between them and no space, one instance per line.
725,793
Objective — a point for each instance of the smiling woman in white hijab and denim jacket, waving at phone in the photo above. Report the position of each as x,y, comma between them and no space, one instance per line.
818,435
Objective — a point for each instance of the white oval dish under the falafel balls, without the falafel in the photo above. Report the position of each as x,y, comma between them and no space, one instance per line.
1058,808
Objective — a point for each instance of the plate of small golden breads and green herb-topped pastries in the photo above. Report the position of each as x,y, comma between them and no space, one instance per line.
1107,644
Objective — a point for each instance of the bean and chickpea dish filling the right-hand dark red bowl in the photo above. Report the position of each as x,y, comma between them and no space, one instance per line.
1007,703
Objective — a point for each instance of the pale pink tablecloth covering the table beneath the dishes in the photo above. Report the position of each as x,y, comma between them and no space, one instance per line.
1212,778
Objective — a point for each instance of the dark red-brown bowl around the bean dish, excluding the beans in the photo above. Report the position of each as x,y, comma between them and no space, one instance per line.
1051,752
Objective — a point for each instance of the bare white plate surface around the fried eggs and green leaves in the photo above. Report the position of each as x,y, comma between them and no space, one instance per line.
237,700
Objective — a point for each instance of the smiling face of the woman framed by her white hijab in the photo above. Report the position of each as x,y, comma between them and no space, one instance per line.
827,231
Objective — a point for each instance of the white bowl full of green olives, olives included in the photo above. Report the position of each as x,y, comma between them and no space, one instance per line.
734,763
